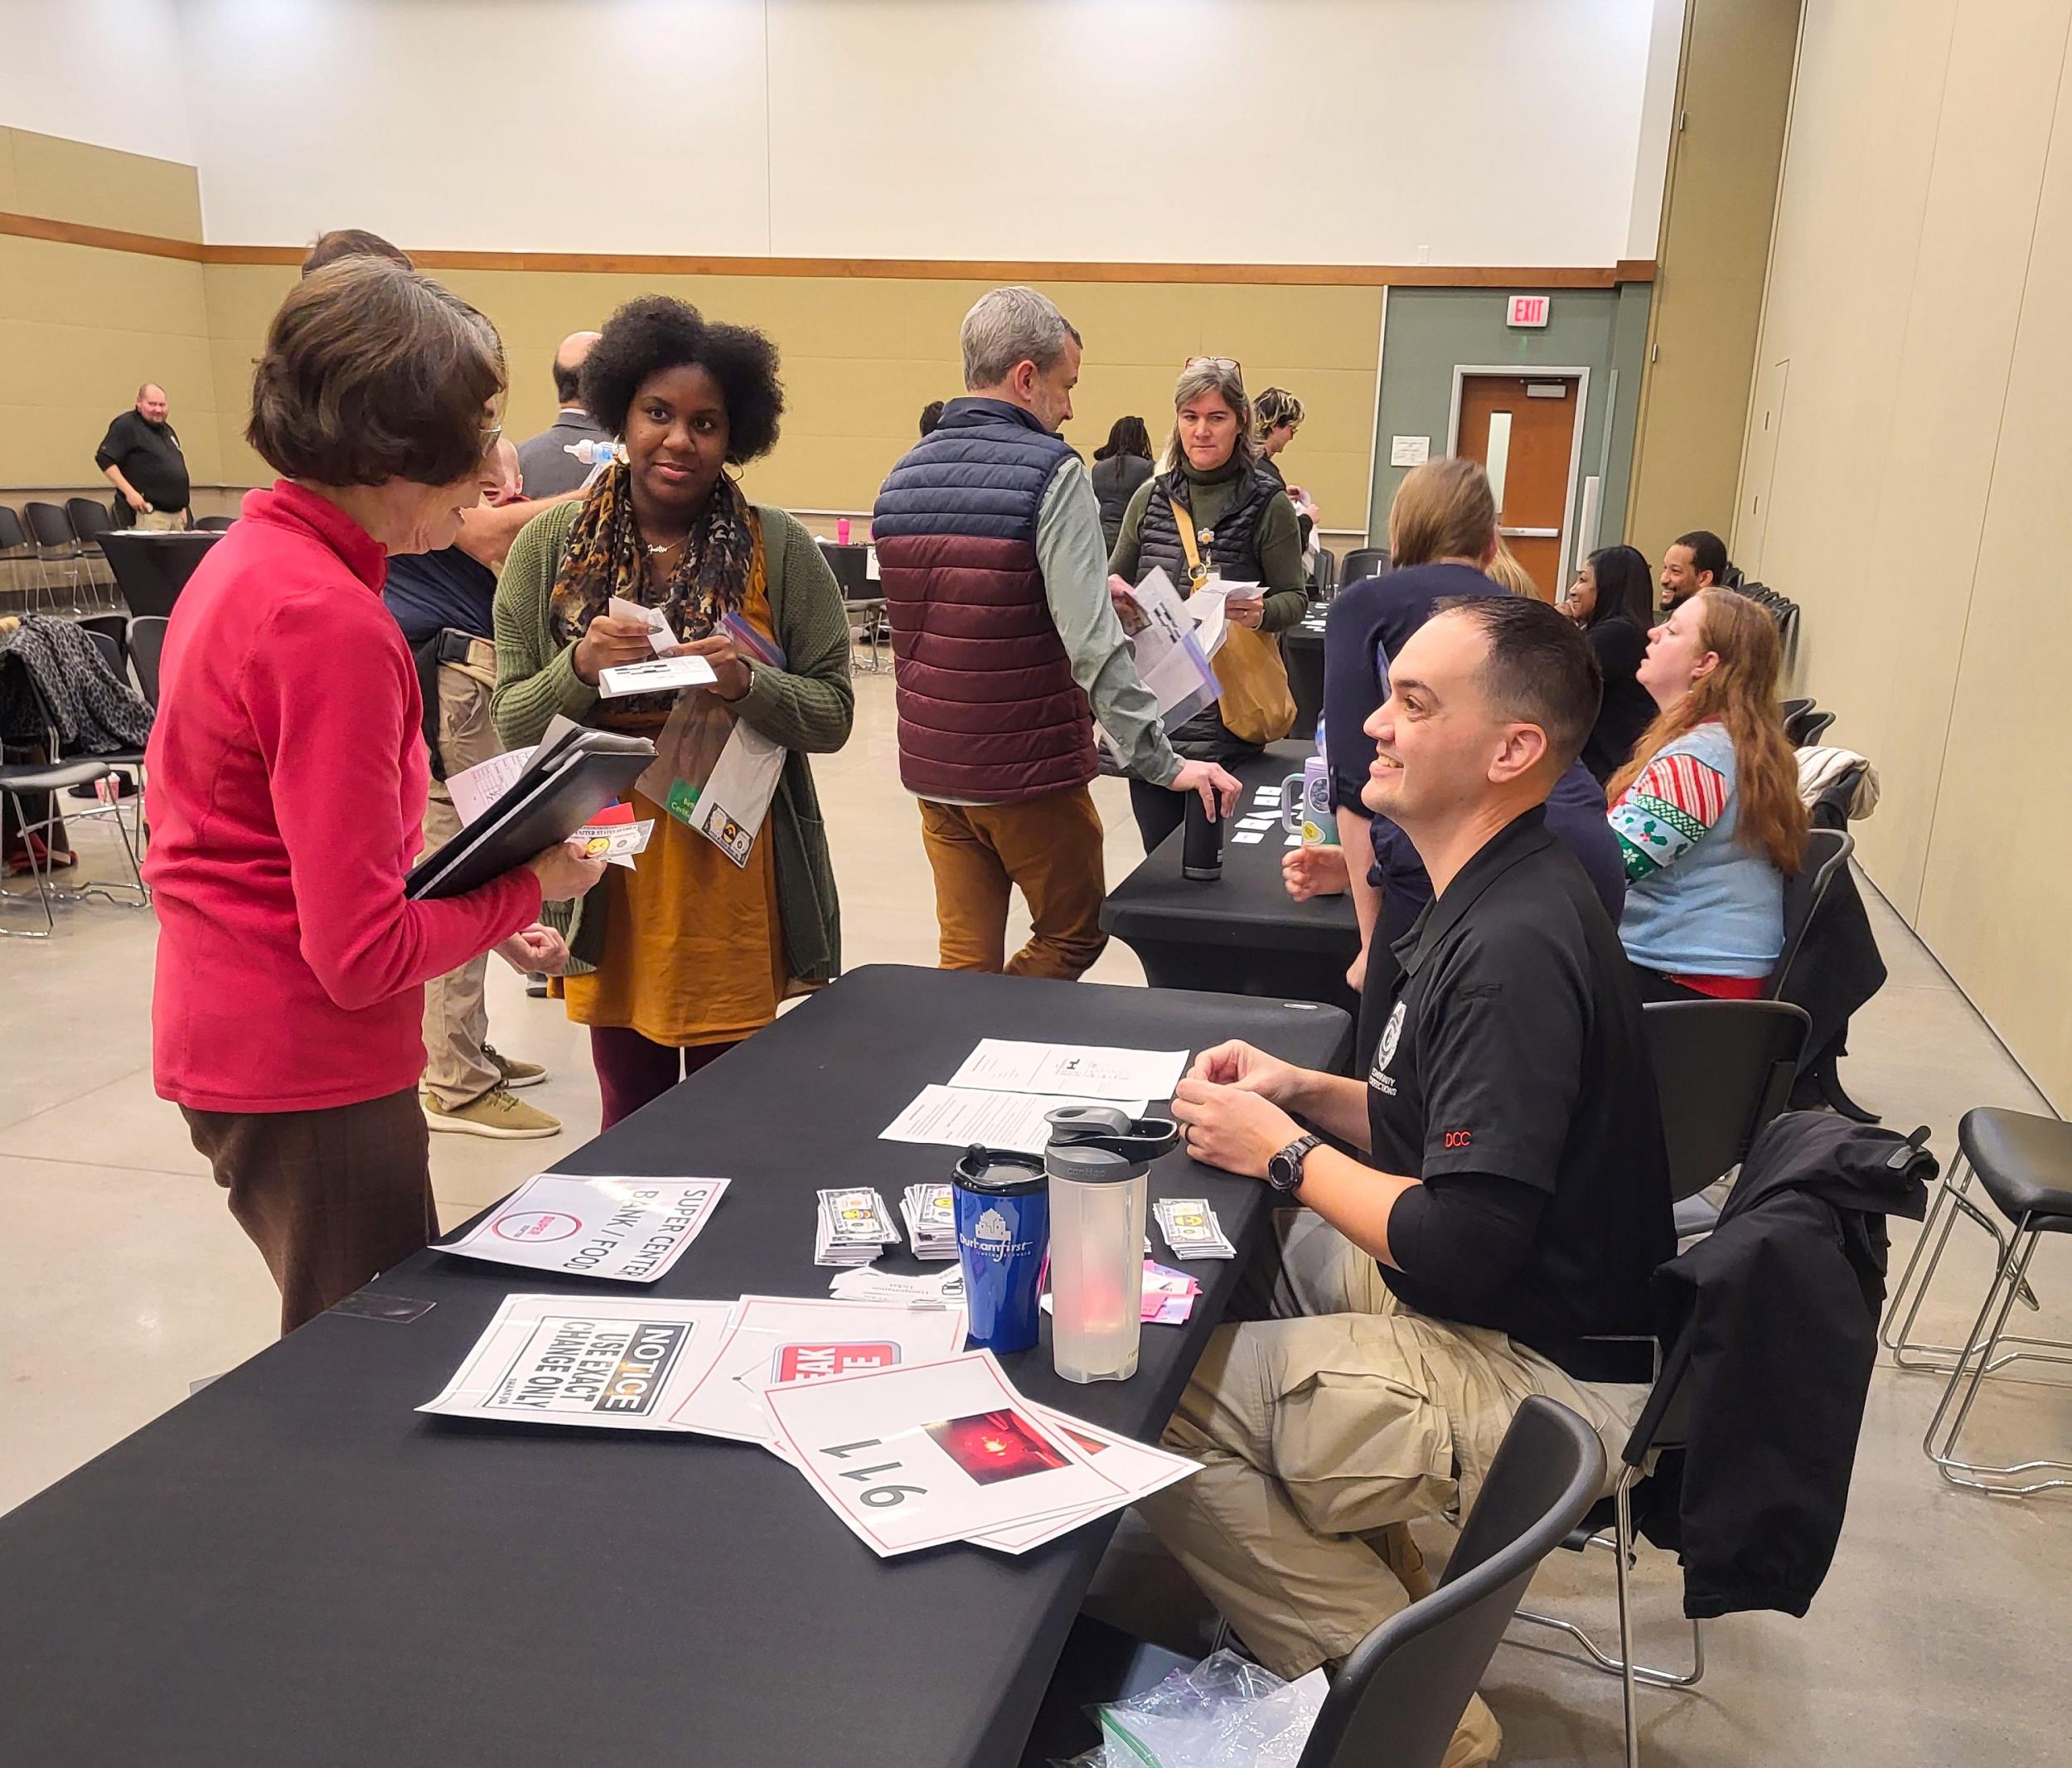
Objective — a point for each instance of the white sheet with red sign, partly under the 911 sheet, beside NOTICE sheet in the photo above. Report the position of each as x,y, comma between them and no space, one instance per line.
784,1340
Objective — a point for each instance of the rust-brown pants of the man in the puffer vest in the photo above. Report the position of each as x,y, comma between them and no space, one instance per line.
1052,849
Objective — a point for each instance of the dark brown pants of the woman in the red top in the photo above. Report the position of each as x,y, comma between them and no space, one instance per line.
333,1199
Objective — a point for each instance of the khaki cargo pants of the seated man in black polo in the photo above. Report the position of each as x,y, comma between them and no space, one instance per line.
1321,1431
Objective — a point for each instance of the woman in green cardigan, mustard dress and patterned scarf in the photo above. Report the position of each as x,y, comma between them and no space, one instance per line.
691,950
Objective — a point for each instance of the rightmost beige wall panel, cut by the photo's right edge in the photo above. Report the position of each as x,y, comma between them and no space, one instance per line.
1996,899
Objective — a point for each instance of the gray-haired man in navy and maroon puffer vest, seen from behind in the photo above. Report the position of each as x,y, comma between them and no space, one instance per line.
1006,650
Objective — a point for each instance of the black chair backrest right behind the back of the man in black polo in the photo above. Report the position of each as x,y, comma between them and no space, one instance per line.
1723,1073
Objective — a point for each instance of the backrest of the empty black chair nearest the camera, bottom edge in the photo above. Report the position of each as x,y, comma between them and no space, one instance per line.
1406,1686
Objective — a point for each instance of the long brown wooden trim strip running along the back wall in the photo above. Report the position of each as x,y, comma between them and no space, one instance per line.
890,268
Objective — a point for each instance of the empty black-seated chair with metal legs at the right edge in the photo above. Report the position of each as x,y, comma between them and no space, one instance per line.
2023,1166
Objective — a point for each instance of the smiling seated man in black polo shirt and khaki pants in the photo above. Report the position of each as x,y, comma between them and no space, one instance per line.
1507,1218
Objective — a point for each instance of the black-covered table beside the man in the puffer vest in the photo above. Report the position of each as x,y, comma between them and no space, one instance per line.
1242,936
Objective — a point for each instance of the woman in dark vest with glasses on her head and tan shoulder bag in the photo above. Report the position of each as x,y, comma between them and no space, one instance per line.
1215,511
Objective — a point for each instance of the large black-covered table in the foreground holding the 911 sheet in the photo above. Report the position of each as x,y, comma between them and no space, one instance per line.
295,1568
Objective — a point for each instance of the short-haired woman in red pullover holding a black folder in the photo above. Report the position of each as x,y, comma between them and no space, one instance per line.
287,782
